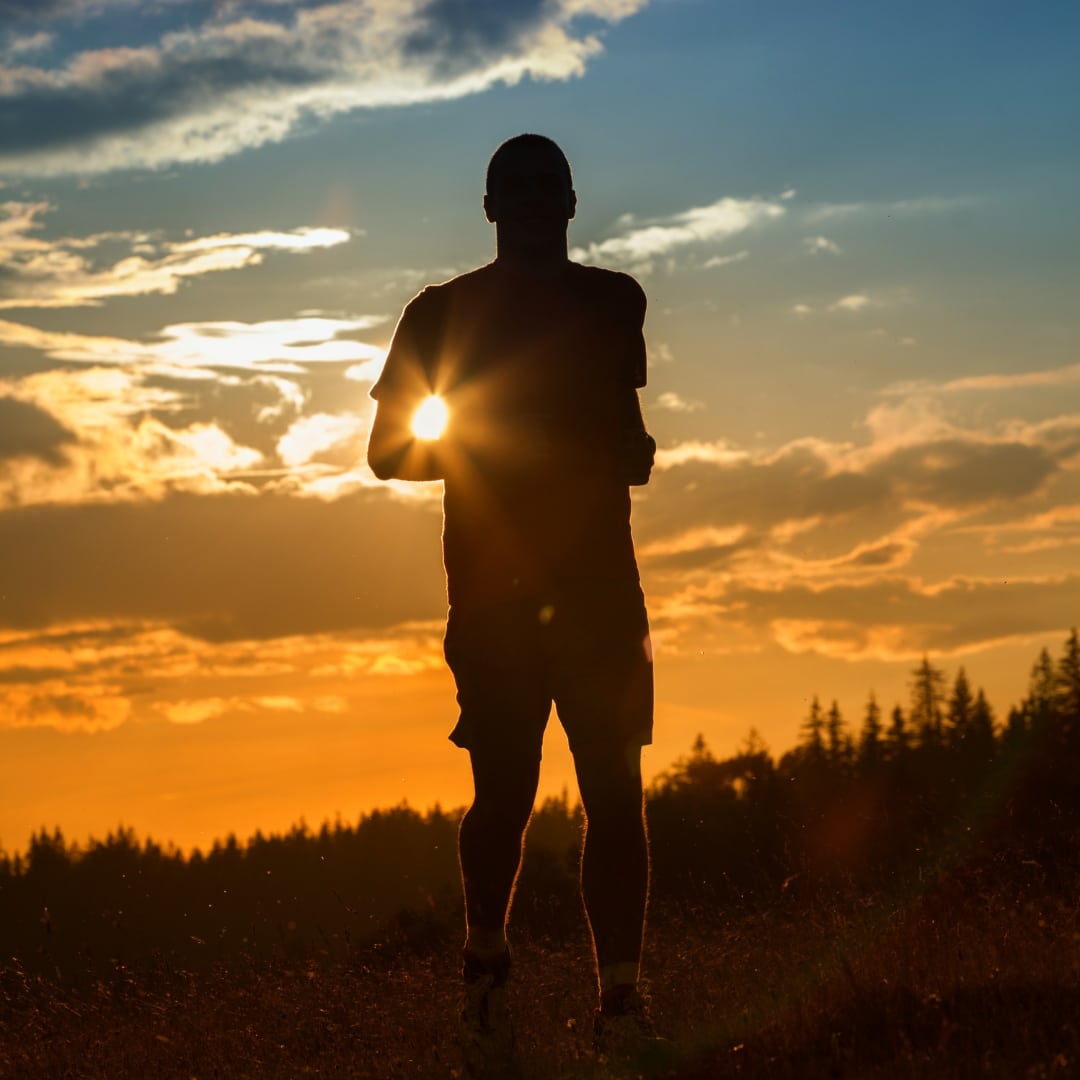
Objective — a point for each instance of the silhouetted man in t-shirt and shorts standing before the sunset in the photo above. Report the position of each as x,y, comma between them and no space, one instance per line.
537,361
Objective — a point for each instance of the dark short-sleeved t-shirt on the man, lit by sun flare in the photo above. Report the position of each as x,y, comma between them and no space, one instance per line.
539,377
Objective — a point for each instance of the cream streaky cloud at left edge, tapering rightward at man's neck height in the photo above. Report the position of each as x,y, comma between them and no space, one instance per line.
67,273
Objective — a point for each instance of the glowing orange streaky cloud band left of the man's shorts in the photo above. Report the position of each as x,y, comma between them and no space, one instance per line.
96,677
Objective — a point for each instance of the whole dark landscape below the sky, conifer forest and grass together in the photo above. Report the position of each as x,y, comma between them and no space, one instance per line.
894,897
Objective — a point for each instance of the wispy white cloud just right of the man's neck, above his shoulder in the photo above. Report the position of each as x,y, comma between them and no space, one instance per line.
641,245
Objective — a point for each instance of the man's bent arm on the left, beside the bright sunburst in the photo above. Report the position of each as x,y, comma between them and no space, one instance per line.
394,451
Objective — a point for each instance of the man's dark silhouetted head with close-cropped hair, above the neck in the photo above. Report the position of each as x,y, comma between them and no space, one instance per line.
532,193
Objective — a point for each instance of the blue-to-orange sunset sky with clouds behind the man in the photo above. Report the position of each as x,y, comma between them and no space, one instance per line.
857,227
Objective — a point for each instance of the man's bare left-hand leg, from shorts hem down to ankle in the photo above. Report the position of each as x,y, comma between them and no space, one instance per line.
490,843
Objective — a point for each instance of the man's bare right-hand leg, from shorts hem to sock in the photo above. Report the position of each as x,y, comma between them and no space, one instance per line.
615,863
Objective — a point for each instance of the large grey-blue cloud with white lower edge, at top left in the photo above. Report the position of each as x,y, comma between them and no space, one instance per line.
228,78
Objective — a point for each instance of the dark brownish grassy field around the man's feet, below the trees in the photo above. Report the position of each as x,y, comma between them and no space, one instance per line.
958,980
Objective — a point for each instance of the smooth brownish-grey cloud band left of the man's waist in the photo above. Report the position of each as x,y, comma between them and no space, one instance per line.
226,568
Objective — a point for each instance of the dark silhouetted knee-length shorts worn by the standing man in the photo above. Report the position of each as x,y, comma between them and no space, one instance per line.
587,651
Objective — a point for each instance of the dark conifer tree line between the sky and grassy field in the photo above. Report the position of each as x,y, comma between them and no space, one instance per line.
872,806
